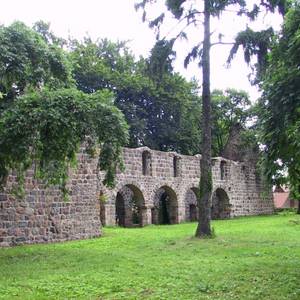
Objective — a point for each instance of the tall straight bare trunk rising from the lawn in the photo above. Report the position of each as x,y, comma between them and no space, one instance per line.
204,201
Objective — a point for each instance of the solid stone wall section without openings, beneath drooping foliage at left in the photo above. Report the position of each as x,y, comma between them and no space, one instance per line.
43,216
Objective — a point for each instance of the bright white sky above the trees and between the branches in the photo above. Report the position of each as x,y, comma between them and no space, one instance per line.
118,20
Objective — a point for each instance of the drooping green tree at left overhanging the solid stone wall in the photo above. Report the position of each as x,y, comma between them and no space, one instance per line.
43,120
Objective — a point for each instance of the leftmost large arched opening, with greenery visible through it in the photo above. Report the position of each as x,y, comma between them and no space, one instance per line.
129,207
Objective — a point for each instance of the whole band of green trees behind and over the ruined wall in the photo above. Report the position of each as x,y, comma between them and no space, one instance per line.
54,93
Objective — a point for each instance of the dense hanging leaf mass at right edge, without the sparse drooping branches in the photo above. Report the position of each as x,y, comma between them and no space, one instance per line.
280,105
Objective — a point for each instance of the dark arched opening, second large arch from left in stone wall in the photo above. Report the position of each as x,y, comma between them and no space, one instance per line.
165,210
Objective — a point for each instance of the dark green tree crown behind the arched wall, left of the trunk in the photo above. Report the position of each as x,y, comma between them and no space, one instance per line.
161,107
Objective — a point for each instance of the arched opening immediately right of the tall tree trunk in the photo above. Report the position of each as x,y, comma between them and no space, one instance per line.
220,205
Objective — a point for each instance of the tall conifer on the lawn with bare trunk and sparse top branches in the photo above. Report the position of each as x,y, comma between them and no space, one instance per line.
188,12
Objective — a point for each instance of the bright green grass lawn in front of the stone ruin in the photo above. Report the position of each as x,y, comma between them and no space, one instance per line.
251,258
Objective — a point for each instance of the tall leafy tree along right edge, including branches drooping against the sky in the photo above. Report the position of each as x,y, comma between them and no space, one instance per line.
276,73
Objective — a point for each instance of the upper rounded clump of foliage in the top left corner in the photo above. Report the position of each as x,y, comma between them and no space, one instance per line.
27,61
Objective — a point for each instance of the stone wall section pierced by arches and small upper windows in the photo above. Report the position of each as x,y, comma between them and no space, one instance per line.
246,193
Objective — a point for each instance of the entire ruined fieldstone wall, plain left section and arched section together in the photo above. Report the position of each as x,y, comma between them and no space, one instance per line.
156,187
